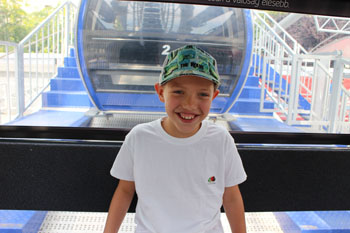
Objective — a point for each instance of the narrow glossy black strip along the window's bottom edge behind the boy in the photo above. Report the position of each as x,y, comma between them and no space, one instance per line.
112,134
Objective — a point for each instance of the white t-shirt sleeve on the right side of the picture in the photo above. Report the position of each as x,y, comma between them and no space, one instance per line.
234,170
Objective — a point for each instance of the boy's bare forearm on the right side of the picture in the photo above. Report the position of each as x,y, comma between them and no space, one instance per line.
234,208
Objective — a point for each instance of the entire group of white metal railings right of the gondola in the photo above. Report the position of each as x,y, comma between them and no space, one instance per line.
307,90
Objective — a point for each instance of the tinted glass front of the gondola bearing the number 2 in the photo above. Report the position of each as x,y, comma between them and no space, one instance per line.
125,43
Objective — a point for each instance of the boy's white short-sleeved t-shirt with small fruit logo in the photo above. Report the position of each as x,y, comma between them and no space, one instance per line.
179,181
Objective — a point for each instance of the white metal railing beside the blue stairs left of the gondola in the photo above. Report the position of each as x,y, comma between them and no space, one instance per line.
33,62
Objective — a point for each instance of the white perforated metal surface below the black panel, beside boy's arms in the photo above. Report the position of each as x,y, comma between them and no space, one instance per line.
79,222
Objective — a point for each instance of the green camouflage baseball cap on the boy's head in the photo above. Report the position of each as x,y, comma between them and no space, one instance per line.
189,60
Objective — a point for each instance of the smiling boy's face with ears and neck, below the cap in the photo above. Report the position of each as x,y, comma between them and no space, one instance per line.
187,102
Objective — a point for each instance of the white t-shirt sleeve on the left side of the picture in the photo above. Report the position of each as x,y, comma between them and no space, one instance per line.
123,165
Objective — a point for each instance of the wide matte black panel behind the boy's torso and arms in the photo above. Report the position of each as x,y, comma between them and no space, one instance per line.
75,176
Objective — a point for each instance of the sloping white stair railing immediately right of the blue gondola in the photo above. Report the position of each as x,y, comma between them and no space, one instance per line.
273,56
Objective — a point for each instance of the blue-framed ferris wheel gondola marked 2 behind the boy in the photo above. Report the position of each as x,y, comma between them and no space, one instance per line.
121,46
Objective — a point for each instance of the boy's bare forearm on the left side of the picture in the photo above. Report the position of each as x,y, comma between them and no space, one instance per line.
119,205
